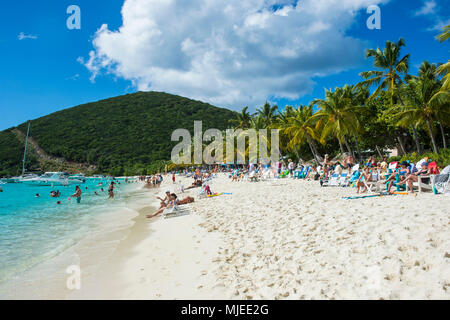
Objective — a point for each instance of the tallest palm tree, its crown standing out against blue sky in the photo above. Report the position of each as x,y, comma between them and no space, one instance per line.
390,77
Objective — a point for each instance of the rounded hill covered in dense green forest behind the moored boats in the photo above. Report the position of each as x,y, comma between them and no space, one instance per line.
128,134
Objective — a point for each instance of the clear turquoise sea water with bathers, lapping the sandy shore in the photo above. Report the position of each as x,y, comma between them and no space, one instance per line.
33,229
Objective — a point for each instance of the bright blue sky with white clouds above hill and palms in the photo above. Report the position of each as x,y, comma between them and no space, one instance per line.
43,72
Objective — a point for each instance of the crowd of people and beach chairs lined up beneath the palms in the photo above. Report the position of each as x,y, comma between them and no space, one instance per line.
358,174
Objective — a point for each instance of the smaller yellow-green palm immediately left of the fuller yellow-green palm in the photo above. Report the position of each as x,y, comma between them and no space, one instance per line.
299,129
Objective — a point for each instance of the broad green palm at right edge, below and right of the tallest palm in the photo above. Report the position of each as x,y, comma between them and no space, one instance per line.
421,106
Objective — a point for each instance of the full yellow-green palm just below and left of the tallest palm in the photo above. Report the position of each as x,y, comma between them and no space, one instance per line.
337,116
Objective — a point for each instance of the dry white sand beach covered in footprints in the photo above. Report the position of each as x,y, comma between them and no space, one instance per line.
290,240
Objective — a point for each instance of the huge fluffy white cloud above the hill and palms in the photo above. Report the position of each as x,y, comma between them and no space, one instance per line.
229,52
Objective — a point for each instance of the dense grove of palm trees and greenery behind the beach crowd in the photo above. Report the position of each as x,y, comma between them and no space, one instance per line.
389,108
